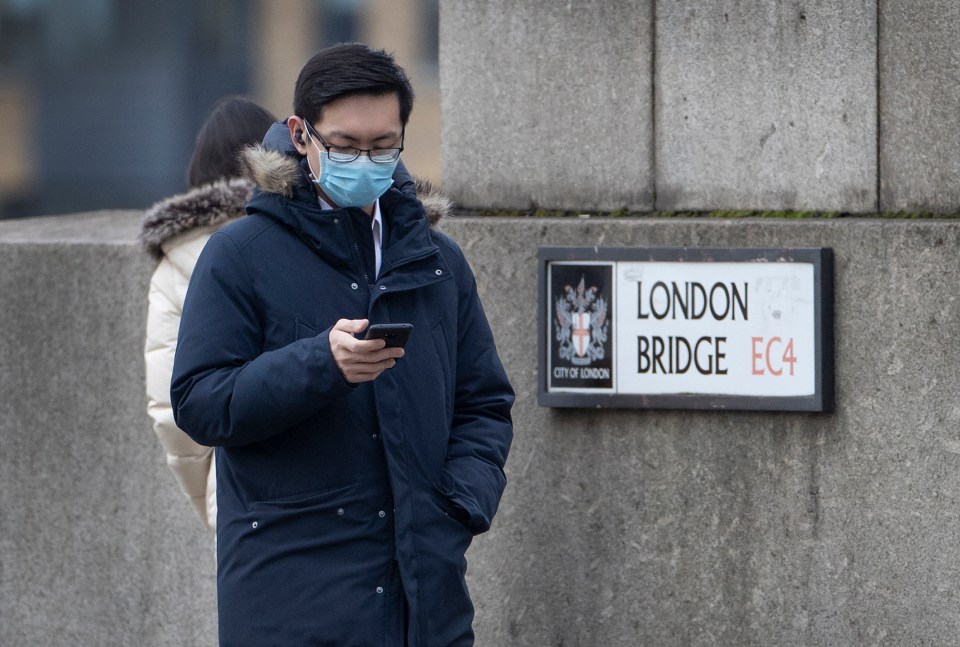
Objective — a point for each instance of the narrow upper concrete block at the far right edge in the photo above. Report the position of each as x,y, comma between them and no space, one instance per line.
920,105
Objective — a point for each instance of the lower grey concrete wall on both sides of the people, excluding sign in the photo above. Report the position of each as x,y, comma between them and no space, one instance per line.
621,528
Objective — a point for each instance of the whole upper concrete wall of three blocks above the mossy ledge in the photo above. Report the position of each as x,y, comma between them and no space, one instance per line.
702,104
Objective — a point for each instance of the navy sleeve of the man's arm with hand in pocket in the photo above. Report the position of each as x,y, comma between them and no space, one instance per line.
482,429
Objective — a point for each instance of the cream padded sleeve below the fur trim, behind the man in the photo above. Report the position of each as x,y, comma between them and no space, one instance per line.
189,461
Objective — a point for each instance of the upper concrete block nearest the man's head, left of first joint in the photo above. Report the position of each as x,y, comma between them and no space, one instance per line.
547,104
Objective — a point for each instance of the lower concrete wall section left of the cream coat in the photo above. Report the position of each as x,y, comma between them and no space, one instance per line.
97,546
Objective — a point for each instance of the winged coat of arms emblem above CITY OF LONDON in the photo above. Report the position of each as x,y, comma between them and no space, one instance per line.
581,325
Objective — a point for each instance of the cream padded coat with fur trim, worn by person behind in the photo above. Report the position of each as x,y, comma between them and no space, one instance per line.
175,231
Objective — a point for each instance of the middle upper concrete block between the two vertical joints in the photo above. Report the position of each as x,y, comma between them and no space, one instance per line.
766,105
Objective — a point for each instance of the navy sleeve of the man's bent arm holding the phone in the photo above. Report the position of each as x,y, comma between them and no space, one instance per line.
226,390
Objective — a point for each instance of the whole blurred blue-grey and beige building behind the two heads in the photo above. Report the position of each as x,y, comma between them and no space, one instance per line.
100,100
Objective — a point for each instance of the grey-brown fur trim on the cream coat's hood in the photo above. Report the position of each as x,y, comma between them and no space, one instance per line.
208,205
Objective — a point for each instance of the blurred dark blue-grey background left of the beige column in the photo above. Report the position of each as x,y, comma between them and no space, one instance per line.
106,97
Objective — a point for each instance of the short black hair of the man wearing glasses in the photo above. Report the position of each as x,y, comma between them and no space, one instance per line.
349,69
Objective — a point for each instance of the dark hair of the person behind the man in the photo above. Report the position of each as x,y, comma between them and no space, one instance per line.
234,123
